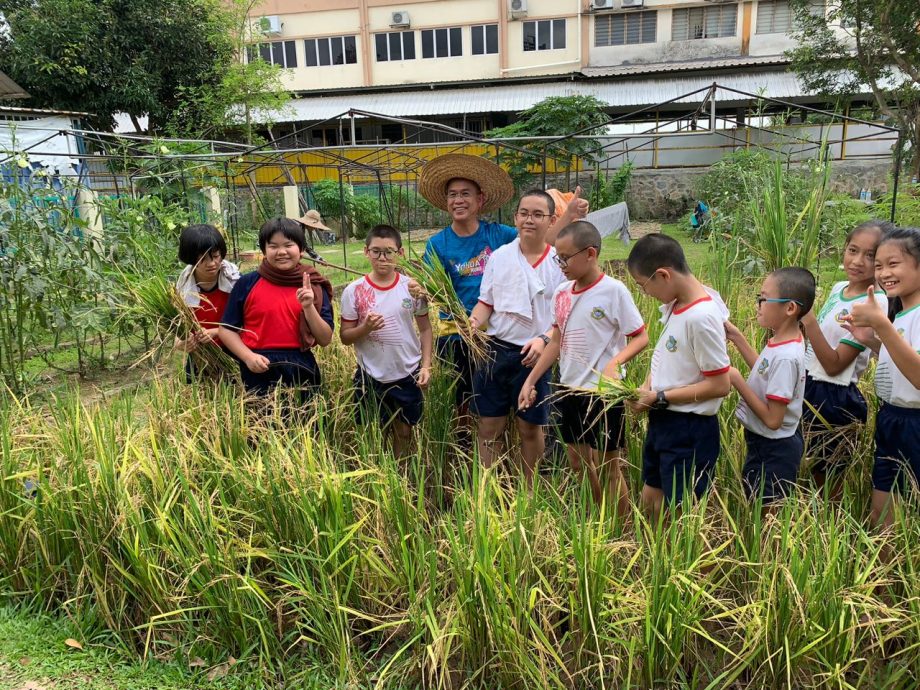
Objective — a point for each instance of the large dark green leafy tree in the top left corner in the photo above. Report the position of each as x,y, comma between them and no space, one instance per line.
176,61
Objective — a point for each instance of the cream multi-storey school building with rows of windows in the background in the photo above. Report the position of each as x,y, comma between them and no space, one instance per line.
474,64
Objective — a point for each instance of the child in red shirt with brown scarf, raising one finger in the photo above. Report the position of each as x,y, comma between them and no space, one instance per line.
278,313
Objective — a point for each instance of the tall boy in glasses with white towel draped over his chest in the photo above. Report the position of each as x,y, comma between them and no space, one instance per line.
515,306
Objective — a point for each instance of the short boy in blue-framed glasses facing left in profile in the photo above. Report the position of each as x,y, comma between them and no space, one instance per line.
771,399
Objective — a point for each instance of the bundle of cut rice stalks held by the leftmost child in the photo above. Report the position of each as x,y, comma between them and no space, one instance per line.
157,301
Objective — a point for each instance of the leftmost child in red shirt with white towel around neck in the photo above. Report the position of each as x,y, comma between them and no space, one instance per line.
204,284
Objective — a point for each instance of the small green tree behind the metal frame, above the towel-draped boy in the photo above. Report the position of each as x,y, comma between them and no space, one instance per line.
552,117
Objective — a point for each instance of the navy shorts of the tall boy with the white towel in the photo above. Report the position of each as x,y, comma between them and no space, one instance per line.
498,381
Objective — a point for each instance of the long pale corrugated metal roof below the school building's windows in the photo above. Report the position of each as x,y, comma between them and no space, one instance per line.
632,93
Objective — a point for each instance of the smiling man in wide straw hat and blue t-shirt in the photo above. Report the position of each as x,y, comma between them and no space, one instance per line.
466,186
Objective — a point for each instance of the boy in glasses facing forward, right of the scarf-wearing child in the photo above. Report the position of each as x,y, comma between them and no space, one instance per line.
379,317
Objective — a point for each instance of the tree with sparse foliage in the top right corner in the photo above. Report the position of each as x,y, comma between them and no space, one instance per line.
864,43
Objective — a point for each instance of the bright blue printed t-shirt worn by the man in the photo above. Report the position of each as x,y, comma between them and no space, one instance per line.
465,258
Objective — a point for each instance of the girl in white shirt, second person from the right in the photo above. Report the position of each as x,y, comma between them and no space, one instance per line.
835,360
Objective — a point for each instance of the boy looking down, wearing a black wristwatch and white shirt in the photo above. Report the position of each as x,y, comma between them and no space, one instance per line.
688,376
